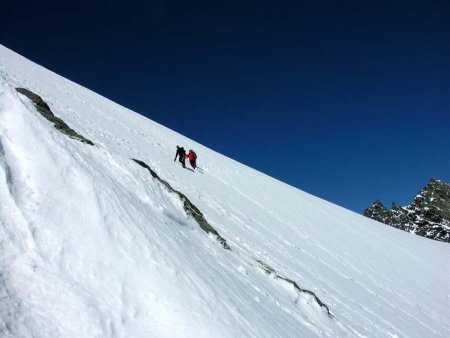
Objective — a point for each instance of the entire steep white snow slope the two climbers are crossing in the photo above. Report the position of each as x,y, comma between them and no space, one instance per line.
91,245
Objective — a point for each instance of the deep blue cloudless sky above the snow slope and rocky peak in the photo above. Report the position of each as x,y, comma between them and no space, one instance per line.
349,101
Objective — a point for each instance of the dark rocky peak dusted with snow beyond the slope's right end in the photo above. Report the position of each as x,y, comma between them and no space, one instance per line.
428,215
